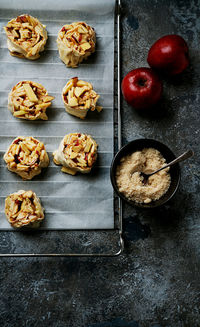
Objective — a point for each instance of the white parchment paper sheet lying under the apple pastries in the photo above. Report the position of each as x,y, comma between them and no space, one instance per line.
70,202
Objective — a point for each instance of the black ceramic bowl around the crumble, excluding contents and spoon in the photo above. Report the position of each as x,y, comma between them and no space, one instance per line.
167,154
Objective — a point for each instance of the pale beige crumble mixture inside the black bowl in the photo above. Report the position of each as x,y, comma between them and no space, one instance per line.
130,183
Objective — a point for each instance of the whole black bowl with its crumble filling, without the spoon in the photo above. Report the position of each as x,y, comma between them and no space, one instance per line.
173,179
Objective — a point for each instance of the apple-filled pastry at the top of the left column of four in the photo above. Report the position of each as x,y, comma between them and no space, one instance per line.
26,37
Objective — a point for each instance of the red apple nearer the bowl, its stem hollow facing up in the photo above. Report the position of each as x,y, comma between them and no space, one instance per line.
141,88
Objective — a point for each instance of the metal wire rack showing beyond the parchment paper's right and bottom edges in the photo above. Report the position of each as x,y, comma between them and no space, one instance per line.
73,242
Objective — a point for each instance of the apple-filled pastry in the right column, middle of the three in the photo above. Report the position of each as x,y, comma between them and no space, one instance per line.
78,97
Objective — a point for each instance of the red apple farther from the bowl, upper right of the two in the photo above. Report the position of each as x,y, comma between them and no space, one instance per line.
169,54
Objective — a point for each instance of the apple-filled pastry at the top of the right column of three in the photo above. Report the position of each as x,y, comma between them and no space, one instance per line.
75,43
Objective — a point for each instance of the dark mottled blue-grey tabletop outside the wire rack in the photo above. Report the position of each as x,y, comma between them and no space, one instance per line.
156,281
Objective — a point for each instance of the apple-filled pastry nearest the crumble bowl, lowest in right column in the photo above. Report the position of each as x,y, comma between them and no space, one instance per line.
77,153
